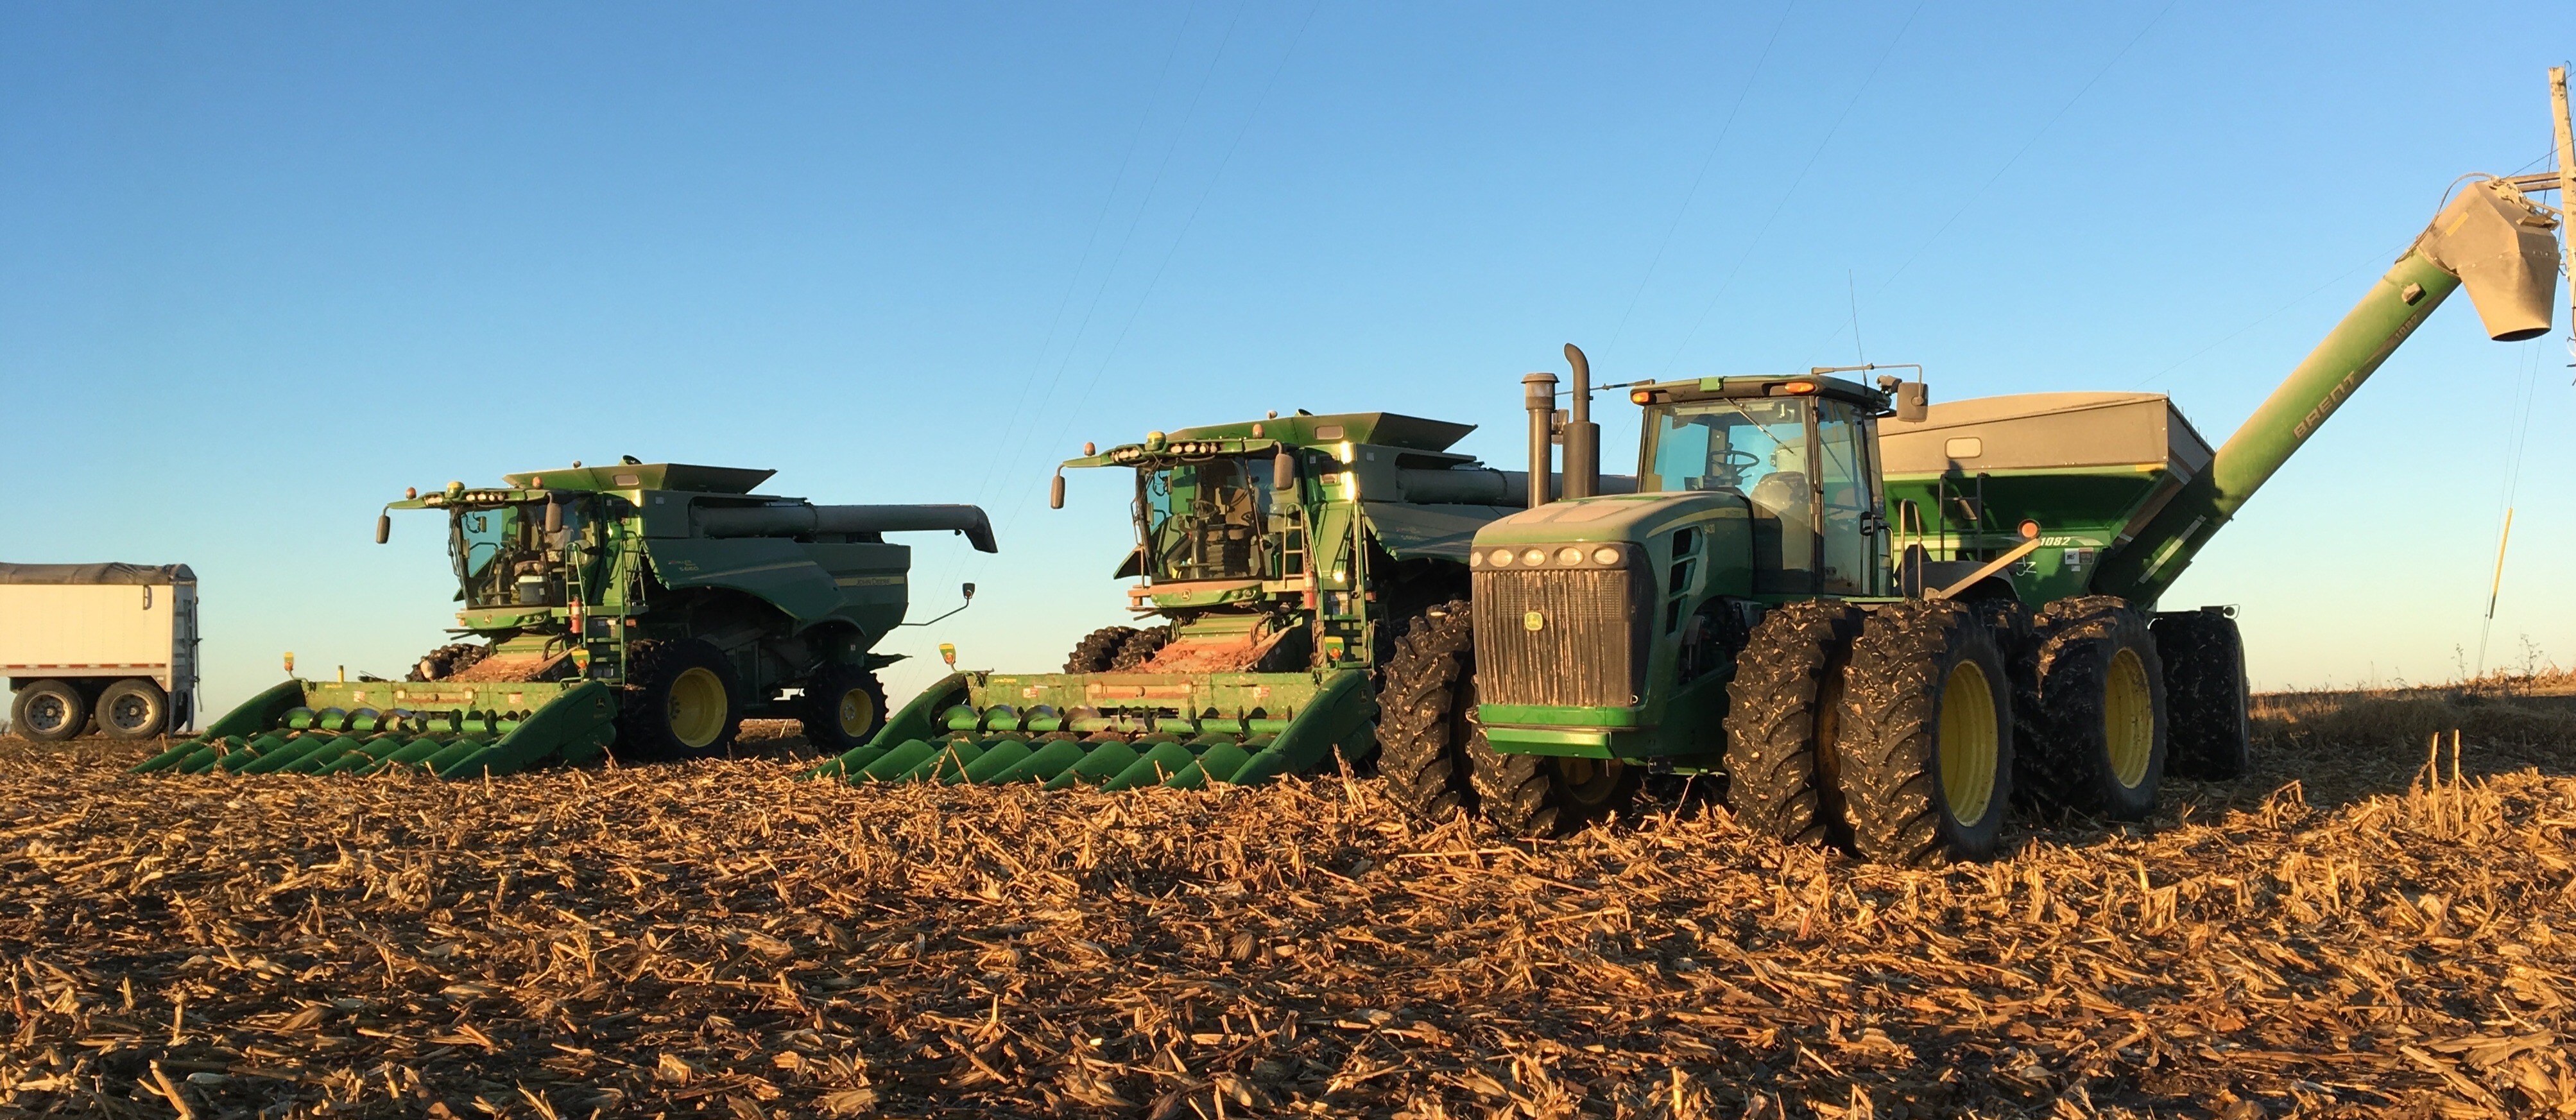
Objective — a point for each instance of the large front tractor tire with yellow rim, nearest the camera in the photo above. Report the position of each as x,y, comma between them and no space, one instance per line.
1926,745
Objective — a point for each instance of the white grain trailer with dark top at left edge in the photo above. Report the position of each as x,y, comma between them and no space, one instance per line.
109,645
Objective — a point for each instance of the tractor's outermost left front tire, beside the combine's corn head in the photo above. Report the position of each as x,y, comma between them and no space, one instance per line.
1428,714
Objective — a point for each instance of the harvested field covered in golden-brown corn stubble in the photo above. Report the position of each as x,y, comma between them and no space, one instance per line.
2338,936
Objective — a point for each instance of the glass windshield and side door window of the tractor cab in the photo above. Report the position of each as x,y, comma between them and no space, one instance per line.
1758,449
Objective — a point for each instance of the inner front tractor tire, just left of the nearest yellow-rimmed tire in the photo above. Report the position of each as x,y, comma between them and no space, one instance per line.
1781,720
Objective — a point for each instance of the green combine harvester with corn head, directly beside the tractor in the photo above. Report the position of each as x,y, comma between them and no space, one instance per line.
1276,565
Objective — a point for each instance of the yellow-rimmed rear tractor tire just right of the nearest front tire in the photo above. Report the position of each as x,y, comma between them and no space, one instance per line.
2093,722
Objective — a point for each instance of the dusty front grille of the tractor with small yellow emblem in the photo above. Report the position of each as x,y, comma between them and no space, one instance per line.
1586,653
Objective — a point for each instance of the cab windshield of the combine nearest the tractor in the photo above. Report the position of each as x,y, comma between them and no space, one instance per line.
1207,519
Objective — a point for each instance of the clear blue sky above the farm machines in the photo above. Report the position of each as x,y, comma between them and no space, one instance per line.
264,266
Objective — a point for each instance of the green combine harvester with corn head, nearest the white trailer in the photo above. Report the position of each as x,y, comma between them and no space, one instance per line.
643,609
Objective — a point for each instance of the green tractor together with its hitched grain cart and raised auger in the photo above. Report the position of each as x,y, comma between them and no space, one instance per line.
1879,663
